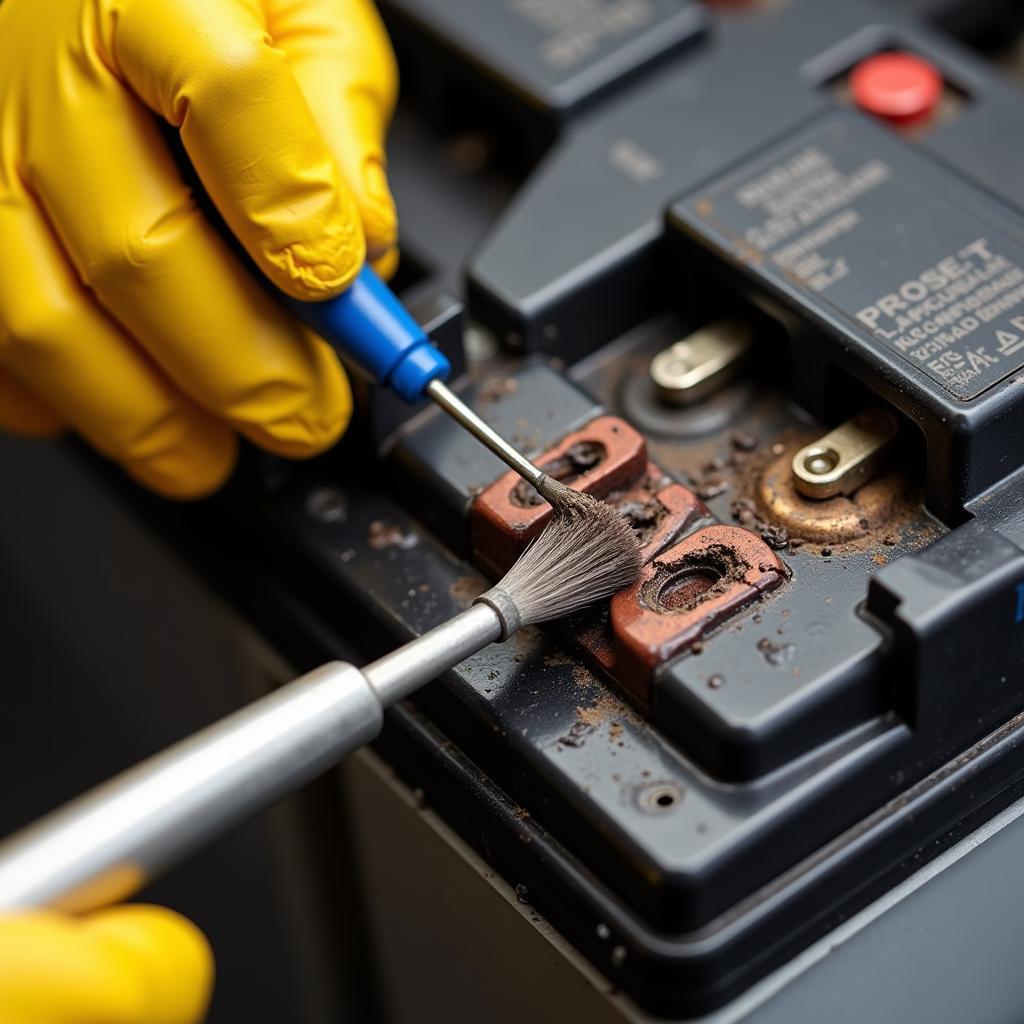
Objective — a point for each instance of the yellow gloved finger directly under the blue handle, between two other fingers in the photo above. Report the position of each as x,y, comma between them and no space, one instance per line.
160,269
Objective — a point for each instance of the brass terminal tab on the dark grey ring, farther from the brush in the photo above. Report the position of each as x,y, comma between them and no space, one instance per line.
702,363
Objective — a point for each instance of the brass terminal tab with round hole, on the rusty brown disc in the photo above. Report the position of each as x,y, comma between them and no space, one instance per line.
846,458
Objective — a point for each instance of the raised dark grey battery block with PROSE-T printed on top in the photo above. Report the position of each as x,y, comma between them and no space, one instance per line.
890,270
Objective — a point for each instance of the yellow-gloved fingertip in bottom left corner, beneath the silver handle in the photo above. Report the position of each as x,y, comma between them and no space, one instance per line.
131,965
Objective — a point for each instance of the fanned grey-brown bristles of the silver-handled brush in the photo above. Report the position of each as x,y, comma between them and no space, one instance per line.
587,553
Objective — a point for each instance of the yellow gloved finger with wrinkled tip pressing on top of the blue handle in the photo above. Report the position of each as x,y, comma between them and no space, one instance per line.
211,69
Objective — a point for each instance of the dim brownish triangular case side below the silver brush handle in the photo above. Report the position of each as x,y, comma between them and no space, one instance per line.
453,945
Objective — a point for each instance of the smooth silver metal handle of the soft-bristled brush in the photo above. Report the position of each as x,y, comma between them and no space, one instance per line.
109,843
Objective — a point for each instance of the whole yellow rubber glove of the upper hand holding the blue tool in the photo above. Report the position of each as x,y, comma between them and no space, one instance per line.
123,315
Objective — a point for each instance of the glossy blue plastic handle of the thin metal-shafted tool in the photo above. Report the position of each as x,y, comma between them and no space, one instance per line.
370,326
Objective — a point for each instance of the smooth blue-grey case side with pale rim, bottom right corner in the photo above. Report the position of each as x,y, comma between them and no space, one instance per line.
945,948
